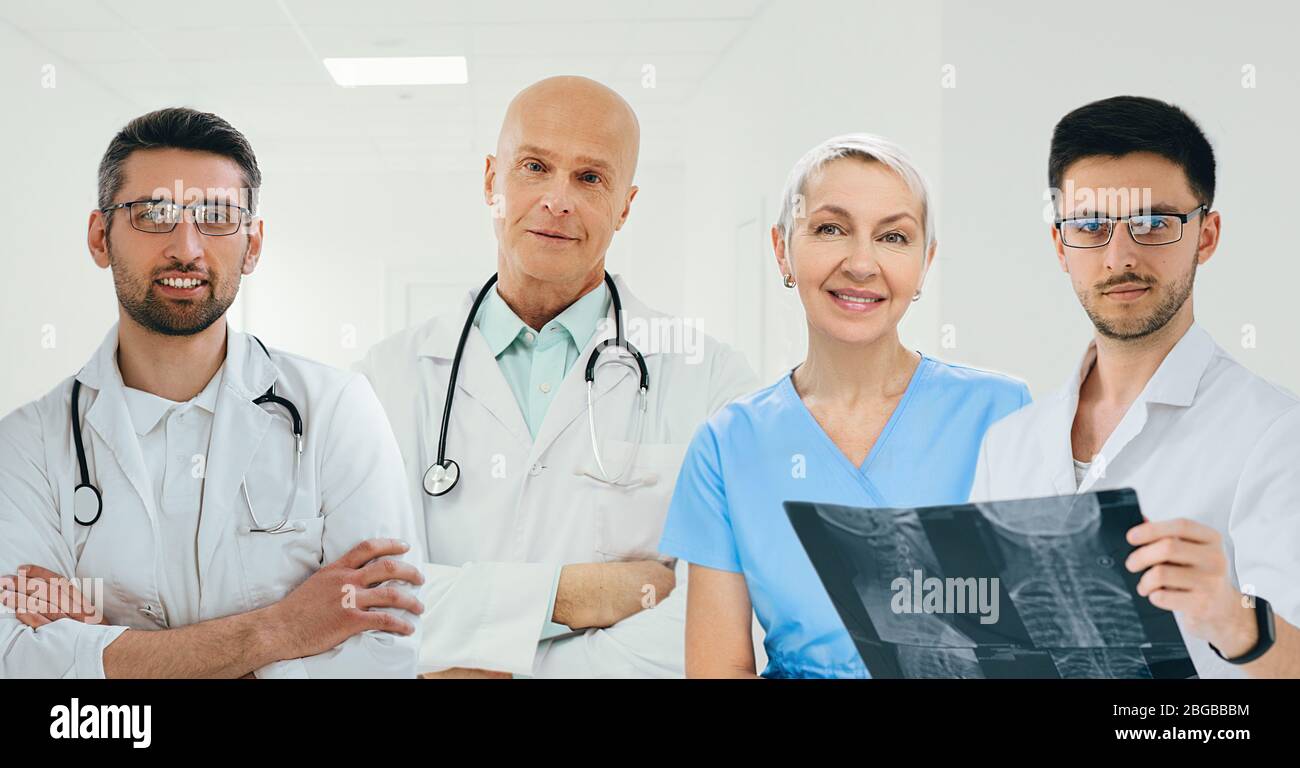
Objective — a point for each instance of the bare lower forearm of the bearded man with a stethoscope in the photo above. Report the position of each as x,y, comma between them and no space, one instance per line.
232,646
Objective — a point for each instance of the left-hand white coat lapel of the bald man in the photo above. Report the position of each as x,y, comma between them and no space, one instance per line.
480,376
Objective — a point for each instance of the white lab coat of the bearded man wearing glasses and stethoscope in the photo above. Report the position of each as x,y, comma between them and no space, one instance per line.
352,489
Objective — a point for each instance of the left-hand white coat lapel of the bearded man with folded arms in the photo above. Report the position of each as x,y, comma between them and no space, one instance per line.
110,419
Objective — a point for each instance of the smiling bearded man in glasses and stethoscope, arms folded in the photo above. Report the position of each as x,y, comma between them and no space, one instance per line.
196,480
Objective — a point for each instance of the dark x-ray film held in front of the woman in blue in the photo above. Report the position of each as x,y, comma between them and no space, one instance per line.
1030,588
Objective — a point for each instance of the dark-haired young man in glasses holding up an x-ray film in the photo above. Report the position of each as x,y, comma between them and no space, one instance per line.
1212,450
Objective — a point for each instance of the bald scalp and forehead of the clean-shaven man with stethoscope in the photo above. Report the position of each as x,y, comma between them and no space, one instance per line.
592,112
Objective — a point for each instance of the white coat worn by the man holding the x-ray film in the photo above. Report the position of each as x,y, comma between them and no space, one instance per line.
1206,440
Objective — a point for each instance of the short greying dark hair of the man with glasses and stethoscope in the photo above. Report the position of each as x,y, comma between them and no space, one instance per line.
177,128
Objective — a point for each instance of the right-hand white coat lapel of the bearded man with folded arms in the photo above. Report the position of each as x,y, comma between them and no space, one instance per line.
239,428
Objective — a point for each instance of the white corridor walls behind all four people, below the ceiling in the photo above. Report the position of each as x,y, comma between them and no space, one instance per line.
697,241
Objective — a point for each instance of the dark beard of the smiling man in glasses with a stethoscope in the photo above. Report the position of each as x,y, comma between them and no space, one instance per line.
172,318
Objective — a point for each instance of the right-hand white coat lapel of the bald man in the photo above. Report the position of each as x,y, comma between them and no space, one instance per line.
570,402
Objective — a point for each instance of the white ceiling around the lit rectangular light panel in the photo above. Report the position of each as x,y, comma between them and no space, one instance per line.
258,63
